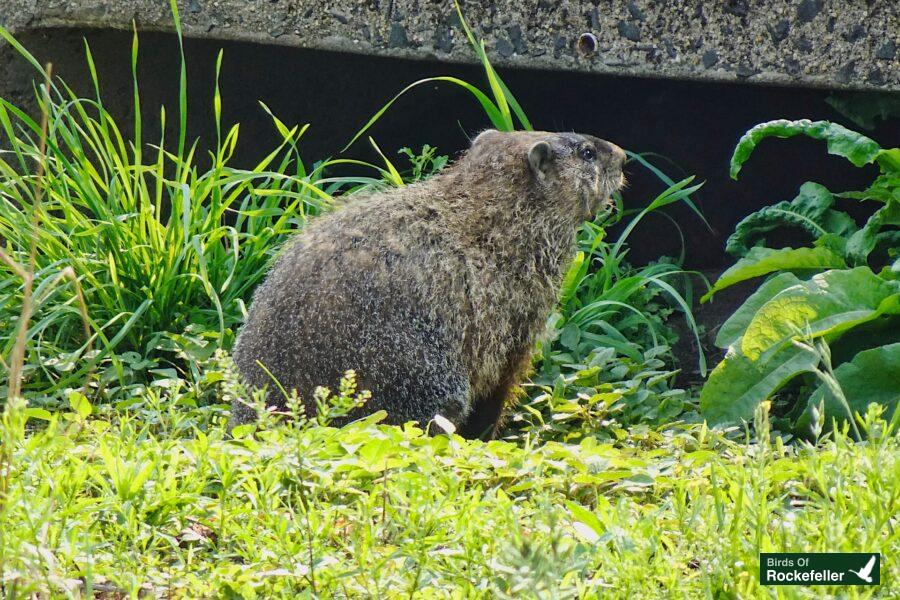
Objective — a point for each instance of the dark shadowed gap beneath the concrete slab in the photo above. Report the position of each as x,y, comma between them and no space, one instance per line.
694,124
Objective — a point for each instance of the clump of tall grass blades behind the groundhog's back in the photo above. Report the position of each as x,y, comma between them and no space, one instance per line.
158,239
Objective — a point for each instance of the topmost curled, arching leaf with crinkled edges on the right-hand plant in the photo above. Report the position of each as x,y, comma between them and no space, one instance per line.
855,147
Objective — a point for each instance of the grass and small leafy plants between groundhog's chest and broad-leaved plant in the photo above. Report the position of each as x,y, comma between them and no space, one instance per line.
601,366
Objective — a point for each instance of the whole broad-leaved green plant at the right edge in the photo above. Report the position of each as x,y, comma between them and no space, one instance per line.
827,293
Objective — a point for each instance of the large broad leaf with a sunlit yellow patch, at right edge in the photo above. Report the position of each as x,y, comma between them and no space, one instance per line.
829,303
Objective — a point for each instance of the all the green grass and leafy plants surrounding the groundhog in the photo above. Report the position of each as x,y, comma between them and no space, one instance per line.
127,266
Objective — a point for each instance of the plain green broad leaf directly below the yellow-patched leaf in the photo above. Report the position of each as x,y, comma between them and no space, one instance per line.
737,385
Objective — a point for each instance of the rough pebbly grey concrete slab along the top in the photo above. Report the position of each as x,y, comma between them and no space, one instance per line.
823,43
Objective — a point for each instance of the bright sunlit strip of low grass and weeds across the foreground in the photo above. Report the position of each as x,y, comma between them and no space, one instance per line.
155,500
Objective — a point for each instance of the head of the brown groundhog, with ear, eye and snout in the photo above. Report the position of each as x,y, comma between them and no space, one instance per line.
579,171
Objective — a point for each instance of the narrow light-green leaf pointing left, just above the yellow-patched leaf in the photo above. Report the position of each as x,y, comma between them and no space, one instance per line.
762,261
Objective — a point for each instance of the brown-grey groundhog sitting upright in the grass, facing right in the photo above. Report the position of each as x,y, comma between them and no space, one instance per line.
434,293
